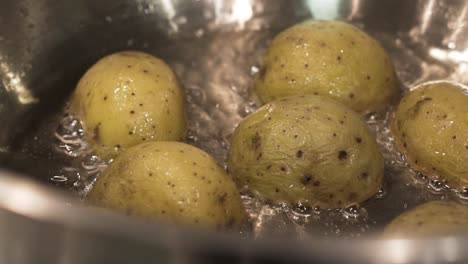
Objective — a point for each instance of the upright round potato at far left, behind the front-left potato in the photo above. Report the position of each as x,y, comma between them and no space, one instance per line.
127,98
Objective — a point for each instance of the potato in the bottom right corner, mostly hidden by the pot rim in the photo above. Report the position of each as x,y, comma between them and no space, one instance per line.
436,218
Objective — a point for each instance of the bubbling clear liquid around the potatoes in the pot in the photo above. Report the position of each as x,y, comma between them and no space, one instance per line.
217,75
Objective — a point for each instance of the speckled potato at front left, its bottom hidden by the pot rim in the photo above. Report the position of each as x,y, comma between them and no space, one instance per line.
172,182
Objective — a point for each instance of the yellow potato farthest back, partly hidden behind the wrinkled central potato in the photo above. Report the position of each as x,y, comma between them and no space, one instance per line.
328,58
